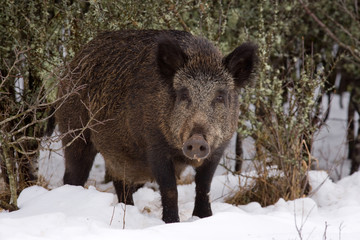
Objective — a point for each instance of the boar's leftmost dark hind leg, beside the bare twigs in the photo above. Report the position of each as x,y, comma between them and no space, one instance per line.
79,158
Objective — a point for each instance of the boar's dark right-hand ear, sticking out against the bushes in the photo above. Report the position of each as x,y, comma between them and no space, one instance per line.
240,63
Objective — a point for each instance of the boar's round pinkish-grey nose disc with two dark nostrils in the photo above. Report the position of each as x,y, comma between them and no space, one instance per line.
196,147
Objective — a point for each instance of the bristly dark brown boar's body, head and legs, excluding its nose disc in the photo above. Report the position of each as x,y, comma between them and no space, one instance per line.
147,92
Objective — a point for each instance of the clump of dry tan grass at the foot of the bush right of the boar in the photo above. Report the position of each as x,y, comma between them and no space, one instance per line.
279,174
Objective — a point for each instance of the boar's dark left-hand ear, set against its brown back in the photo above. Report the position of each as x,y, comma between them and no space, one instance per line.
170,57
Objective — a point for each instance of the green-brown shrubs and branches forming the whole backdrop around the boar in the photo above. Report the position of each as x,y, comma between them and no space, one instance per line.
296,41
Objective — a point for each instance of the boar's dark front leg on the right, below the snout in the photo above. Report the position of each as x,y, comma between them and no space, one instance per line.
203,178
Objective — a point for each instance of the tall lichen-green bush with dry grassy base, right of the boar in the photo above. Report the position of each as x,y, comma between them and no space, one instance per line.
281,114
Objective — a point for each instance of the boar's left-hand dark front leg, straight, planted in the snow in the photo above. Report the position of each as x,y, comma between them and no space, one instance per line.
163,170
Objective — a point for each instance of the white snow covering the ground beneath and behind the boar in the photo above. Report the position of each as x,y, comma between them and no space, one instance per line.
332,211
